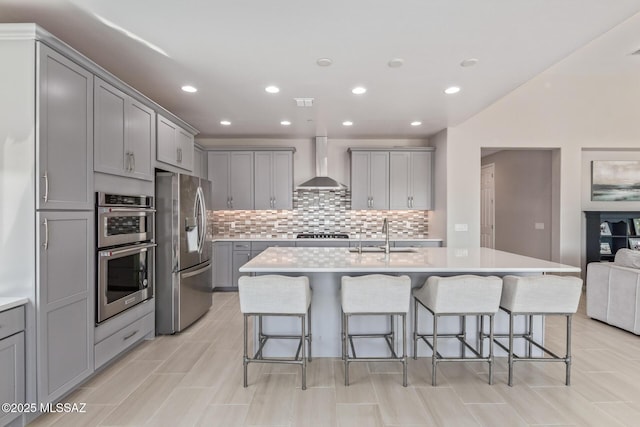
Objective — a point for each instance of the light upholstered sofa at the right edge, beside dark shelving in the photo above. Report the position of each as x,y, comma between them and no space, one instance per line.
613,291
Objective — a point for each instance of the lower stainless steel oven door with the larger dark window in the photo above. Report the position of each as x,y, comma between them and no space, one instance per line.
125,278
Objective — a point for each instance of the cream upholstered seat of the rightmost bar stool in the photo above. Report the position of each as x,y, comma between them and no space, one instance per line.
541,294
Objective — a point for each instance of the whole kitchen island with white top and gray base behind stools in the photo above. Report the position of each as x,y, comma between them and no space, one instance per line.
325,267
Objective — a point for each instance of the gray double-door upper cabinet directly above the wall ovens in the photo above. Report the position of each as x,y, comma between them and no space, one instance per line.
124,133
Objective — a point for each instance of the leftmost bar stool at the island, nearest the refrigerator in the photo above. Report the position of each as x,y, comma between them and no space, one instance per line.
275,295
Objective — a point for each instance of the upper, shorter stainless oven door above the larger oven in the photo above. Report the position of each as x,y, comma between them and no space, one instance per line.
120,226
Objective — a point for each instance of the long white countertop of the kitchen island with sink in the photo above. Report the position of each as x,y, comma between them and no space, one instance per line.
422,260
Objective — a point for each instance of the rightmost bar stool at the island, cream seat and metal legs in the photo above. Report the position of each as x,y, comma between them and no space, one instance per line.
539,295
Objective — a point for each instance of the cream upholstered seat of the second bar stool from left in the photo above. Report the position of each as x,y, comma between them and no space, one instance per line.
376,293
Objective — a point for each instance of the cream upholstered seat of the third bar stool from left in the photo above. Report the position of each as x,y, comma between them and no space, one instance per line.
460,294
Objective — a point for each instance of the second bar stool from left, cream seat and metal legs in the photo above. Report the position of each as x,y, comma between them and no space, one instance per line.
375,294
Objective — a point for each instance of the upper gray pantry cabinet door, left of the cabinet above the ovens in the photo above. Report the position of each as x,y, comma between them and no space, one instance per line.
65,133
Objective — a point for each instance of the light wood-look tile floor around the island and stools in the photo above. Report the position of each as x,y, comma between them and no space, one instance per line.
195,379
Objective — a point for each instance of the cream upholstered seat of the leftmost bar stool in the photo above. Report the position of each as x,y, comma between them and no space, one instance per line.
274,294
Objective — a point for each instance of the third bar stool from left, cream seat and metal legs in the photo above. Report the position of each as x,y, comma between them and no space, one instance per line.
458,296
